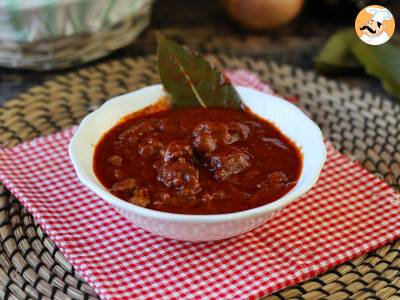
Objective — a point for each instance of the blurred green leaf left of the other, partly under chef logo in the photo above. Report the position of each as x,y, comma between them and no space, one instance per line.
336,55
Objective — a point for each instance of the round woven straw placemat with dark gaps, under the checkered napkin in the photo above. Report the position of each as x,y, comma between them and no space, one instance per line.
359,124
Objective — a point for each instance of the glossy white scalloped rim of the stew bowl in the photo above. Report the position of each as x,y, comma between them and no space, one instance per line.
191,218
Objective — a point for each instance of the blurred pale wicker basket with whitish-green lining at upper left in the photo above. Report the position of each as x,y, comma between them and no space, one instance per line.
60,39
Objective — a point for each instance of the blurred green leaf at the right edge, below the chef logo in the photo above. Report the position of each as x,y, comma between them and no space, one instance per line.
382,62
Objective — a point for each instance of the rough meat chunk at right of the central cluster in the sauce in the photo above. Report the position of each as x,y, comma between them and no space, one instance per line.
228,160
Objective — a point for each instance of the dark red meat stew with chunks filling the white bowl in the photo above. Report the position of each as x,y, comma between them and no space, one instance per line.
197,161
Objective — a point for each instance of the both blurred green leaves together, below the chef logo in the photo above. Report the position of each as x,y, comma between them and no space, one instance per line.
345,51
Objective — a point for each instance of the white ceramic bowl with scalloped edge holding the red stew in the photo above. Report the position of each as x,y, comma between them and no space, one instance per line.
287,117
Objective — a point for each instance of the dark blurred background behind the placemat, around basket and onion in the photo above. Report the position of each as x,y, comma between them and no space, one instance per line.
204,26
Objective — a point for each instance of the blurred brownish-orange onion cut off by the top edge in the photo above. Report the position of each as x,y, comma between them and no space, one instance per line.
263,14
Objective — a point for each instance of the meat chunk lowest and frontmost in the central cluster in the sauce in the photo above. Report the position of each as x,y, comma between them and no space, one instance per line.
181,175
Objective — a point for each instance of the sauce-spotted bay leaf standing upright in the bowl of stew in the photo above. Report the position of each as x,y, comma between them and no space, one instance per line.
191,80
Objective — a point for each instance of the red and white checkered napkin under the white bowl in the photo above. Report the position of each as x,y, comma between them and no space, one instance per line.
348,213
